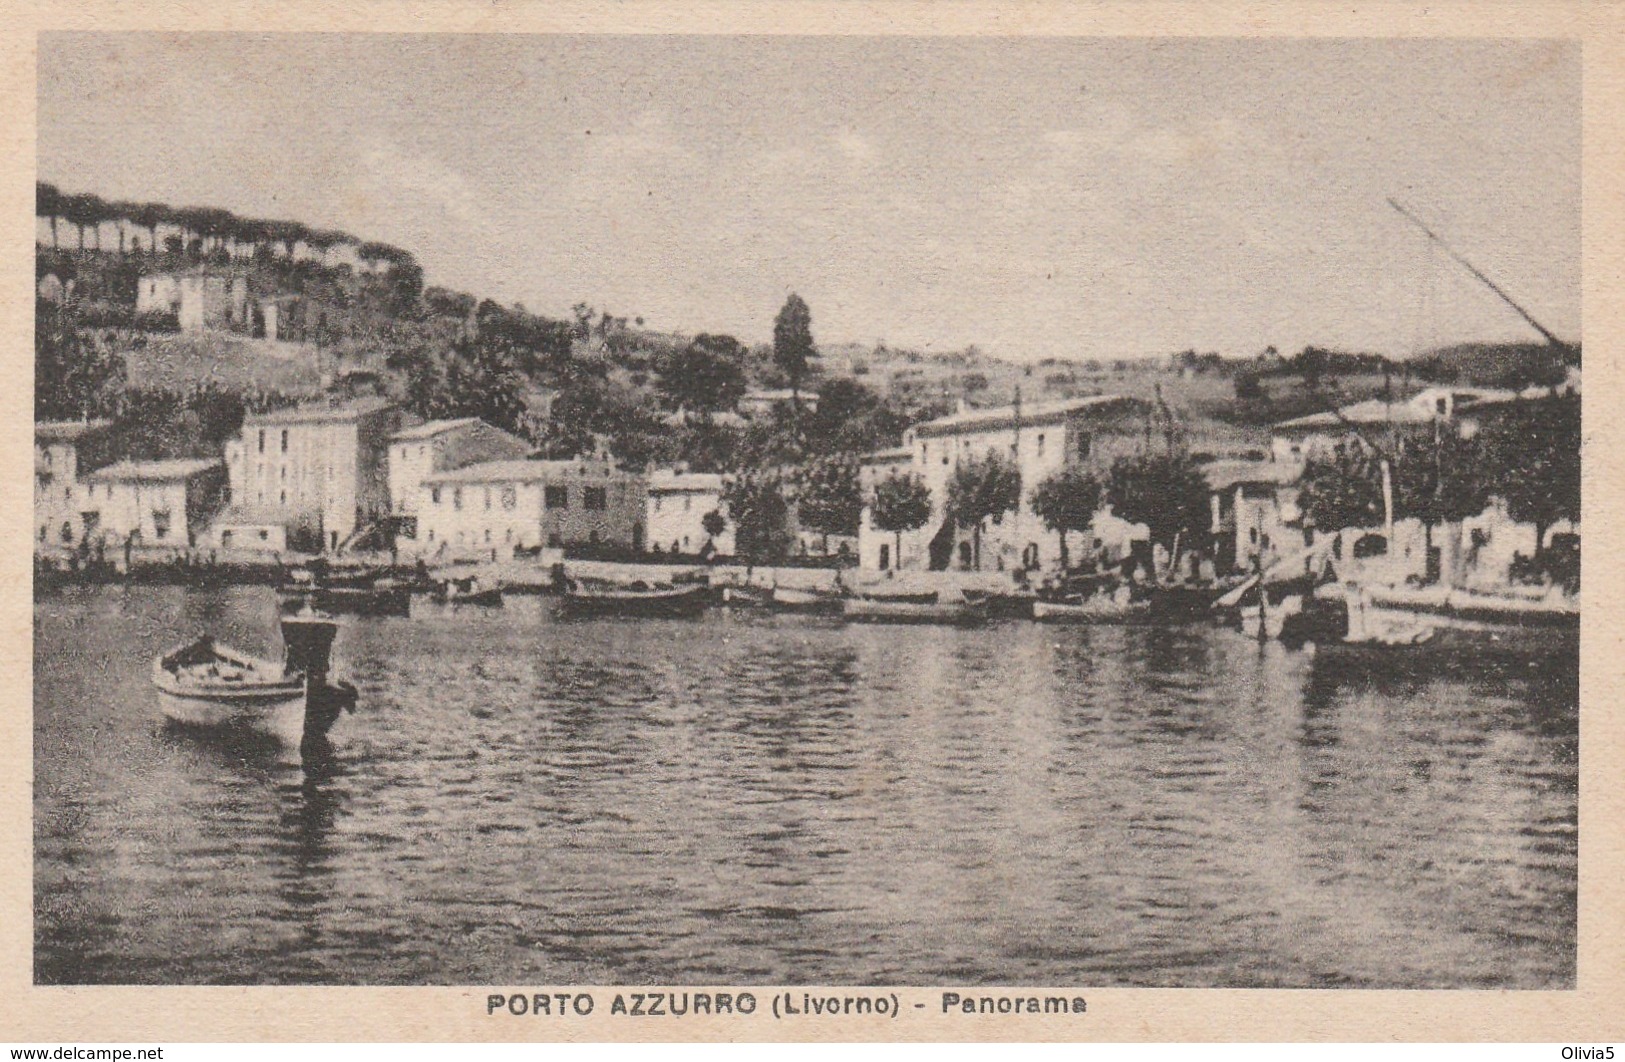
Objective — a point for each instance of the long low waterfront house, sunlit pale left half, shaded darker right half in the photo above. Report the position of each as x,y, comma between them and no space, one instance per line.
500,507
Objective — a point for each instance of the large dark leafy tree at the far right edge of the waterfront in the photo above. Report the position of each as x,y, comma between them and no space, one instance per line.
1532,455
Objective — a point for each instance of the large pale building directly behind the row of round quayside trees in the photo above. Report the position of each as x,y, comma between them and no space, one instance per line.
1041,441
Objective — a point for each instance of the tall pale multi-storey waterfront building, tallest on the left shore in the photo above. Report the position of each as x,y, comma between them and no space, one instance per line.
319,473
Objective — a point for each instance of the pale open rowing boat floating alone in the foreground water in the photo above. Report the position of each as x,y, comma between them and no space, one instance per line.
206,683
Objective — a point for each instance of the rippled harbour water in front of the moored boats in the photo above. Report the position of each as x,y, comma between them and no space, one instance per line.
531,795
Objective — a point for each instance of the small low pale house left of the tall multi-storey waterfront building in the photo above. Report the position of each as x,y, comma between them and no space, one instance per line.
155,504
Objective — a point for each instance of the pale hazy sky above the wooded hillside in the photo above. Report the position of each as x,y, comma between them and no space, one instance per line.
1034,197
